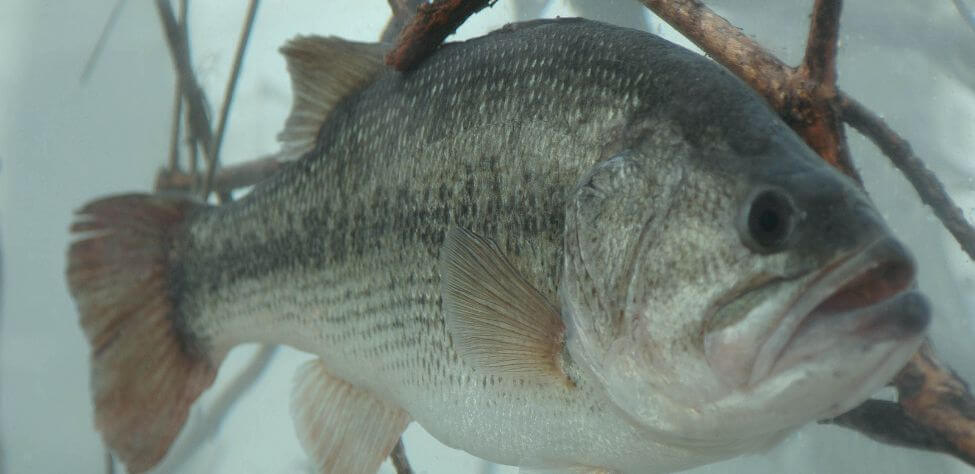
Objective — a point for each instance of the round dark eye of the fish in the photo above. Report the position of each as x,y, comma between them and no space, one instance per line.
770,221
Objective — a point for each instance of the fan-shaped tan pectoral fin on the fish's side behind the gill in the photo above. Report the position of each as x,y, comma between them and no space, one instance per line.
499,322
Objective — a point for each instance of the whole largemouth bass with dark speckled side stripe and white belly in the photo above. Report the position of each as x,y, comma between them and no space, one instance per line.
564,246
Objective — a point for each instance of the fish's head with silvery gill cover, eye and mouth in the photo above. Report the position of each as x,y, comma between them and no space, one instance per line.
726,294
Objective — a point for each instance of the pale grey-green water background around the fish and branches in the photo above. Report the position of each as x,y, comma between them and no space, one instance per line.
63,143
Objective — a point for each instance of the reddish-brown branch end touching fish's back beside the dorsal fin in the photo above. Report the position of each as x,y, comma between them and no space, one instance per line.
432,23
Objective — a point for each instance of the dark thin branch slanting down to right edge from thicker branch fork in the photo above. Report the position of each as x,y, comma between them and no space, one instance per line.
901,154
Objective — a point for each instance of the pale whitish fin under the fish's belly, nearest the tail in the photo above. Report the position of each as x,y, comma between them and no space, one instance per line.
343,428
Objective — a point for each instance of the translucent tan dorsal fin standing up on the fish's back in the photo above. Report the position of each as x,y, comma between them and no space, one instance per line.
323,71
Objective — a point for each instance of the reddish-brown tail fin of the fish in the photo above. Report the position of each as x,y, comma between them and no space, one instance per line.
145,373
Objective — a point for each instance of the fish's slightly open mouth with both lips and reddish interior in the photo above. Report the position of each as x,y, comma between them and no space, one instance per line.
868,295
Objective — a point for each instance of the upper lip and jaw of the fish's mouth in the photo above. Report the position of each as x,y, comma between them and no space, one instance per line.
839,288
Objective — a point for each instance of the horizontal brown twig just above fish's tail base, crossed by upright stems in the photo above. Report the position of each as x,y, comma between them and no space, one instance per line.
227,178
